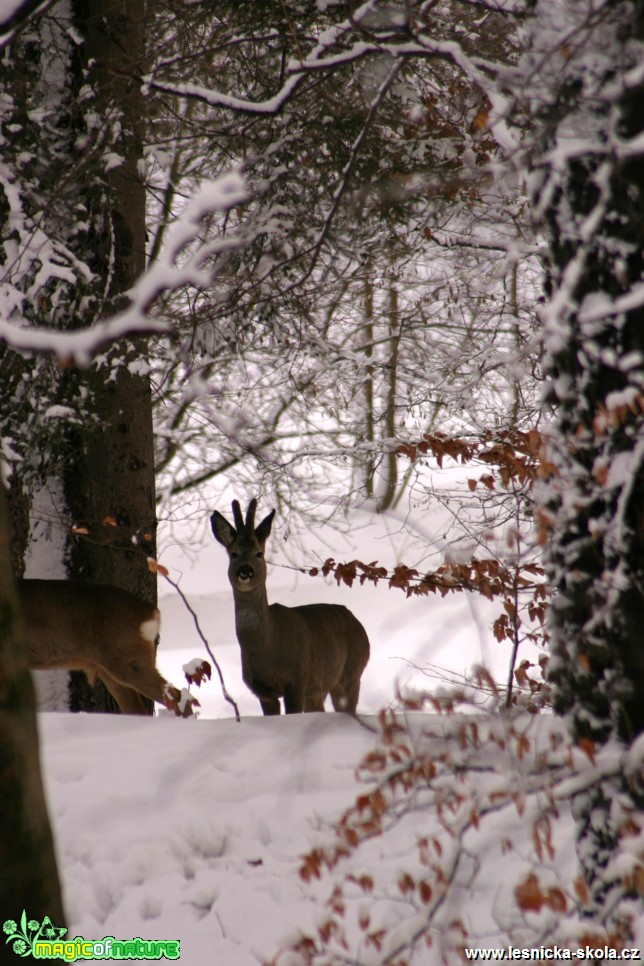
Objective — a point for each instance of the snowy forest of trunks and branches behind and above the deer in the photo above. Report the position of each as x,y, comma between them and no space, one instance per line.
323,254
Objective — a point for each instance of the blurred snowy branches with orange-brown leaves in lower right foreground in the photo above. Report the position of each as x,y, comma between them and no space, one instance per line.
448,798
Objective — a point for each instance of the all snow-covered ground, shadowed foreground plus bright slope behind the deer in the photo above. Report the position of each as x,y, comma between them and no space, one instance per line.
194,830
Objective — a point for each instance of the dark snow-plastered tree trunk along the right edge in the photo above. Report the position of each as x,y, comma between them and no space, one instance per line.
586,80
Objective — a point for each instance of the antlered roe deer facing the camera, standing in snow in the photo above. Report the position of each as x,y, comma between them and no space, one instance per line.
299,653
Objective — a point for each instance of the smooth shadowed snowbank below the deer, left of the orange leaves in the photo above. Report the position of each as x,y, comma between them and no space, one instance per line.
201,824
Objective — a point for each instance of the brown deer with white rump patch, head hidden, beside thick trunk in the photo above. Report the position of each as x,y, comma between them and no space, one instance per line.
103,631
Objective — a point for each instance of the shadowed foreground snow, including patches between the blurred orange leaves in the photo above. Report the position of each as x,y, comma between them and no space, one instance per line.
194,830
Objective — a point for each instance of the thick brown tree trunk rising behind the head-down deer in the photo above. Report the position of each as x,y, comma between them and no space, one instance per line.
110,477
